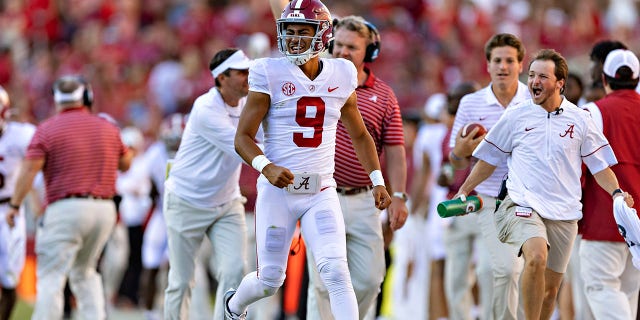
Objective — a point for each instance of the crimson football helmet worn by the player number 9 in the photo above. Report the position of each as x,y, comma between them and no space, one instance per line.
311,12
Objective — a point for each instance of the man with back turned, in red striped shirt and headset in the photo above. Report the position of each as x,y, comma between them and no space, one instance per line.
79,154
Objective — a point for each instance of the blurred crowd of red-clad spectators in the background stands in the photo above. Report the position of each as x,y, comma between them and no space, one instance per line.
147,58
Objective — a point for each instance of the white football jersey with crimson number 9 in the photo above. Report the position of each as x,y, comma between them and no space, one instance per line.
300,127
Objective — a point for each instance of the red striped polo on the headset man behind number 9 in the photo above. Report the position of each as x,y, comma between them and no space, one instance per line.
381,114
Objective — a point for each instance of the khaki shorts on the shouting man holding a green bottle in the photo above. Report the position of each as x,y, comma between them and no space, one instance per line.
515,227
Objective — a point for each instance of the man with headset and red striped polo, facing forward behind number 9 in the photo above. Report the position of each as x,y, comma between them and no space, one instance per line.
359,42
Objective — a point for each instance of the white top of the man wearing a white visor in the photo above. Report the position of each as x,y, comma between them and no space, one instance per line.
206,170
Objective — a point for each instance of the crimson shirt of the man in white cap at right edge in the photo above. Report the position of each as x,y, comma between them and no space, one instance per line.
620,110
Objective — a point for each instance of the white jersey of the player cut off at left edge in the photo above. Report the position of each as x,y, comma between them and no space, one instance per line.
13,147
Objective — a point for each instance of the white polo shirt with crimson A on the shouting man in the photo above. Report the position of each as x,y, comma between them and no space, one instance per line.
544,153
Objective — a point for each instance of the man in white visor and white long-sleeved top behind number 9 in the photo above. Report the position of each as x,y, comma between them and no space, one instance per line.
202,192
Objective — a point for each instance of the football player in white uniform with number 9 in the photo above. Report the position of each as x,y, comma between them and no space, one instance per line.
300,98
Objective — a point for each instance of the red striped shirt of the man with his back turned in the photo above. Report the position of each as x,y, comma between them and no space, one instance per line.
81,153
